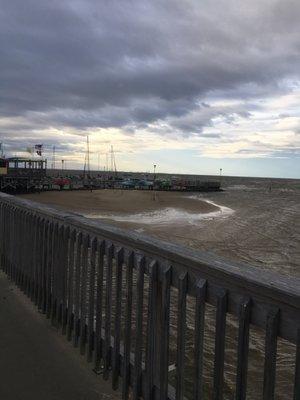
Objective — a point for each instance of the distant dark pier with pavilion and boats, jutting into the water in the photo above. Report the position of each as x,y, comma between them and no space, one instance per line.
24,175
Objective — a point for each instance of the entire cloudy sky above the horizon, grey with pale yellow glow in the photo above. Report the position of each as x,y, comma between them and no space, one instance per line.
192,86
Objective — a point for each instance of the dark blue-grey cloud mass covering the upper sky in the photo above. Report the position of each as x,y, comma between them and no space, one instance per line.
126,64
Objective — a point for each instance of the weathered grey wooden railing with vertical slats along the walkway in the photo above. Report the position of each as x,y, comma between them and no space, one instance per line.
111,292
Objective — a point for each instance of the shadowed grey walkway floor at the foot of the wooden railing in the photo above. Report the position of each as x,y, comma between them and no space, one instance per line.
36,362
